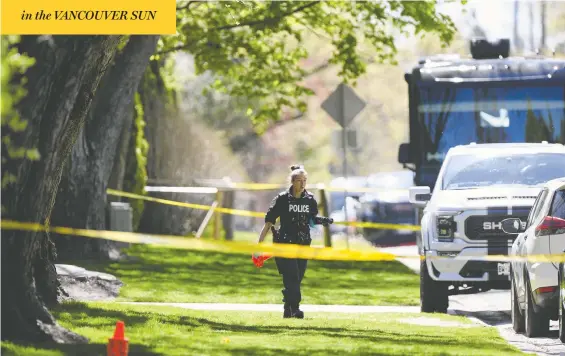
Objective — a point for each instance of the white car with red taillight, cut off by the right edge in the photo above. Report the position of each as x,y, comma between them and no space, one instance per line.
534,293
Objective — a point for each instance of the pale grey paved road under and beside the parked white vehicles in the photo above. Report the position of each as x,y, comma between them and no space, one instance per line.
492,308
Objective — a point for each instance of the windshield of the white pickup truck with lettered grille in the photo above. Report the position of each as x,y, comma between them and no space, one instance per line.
481,170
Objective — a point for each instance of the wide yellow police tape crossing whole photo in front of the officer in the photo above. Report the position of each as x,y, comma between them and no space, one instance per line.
277,250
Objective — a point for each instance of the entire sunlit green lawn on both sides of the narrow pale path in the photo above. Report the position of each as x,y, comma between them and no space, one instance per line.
171,275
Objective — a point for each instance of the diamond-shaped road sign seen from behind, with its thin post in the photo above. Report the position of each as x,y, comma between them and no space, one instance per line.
343,105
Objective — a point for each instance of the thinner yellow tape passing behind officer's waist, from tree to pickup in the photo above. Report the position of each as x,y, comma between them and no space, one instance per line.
257,214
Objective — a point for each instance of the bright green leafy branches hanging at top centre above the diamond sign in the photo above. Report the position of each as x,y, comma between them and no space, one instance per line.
255,48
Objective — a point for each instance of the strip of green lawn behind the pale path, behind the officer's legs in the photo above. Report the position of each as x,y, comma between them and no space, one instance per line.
171,275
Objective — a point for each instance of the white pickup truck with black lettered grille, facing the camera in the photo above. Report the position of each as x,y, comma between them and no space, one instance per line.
478,186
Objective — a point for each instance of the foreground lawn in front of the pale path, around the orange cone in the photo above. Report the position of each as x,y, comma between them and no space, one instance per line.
174,331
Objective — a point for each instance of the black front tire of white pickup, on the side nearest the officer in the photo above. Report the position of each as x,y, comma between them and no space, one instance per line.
433,294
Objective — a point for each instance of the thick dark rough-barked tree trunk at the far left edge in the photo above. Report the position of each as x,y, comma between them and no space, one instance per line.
60,87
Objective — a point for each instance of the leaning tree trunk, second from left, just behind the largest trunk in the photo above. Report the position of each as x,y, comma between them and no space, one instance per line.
81,201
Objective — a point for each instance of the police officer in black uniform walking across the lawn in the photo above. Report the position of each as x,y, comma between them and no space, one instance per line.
298,210
